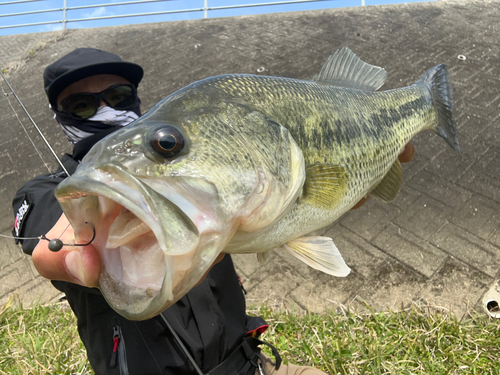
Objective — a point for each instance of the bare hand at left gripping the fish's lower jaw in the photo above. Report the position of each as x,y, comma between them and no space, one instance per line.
75,264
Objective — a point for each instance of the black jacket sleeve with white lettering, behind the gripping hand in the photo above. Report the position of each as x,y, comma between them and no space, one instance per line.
36,210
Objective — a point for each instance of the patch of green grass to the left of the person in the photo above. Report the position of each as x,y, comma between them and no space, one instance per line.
40,340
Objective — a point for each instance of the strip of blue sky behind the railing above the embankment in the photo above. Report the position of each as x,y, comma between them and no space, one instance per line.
100,9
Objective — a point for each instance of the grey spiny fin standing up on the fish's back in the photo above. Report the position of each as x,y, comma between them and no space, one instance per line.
345,69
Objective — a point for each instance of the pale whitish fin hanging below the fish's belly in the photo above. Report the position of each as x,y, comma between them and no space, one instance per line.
320,253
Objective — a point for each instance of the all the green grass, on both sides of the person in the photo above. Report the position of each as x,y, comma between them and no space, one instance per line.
420,340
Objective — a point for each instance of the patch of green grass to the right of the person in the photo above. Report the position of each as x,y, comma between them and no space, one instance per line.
419,340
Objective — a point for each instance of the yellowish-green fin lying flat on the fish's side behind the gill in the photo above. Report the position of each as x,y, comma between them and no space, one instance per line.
325,184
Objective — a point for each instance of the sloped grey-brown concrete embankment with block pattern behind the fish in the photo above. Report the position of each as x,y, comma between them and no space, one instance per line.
439,240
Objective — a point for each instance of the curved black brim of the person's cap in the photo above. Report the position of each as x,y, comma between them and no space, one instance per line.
130,71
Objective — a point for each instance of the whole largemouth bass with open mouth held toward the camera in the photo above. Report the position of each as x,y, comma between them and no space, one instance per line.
244,164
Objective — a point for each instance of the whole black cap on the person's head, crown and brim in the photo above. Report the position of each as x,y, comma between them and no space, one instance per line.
83,63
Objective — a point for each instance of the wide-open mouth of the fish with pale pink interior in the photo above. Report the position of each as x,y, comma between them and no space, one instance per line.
142,260
